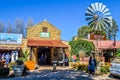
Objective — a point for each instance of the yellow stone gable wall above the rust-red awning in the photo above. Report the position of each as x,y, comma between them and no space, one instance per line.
33,32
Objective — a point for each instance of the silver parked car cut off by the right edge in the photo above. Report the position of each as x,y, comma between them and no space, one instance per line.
115,67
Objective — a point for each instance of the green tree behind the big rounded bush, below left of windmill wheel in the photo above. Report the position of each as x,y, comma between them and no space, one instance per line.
84,31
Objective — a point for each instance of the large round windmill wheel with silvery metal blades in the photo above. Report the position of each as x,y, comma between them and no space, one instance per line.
98,16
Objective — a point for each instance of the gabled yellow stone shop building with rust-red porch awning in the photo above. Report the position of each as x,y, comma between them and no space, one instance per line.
44,40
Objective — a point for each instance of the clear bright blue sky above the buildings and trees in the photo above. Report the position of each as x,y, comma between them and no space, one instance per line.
66,15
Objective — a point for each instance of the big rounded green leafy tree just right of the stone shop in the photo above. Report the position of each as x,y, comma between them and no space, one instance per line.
84,45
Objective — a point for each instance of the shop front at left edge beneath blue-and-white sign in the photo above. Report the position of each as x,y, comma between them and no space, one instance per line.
10,43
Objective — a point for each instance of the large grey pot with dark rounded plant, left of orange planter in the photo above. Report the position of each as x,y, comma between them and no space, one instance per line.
18,68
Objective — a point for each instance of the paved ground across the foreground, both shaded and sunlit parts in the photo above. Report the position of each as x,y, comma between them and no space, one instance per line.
62,73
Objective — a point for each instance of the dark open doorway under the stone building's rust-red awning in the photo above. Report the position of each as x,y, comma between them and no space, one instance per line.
44,55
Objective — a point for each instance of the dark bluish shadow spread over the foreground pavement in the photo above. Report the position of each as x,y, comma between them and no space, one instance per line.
50,75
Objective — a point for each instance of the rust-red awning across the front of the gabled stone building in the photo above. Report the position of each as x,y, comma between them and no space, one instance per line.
46,43
